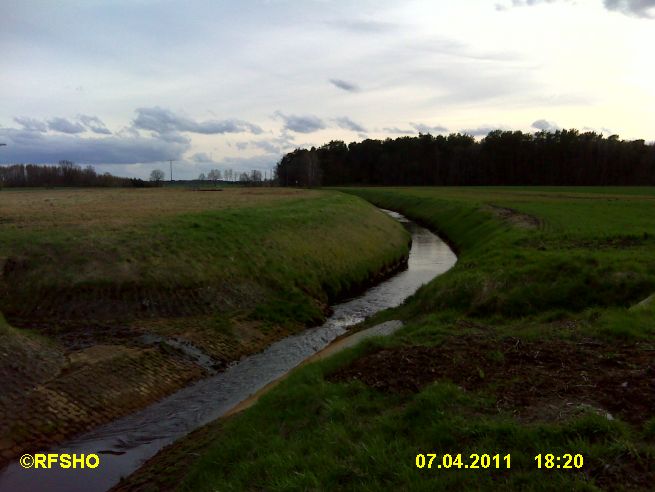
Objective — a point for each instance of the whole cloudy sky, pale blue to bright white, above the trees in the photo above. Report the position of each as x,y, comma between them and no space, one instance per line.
127,84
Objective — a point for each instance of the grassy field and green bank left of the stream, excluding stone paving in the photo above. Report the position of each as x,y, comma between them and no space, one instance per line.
173,252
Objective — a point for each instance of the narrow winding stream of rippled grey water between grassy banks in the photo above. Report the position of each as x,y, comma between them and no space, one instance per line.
126,443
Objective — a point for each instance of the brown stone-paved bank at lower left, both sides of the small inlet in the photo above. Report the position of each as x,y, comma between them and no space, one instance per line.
52,390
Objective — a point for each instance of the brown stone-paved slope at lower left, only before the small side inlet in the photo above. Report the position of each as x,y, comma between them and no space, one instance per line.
49,395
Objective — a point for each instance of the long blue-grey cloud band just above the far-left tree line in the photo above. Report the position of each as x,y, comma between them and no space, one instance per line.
30,146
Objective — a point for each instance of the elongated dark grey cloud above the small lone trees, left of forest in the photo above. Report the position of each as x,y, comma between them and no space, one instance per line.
165,122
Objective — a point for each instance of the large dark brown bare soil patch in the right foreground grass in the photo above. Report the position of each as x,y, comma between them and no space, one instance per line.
534,380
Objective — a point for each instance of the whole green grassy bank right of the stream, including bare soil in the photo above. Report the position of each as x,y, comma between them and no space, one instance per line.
537,342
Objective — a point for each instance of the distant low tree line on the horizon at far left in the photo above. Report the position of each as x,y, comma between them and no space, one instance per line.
65,173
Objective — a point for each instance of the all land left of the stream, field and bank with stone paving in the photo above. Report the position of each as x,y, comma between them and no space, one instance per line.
86,274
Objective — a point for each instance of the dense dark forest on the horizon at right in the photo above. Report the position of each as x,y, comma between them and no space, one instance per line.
562,157
